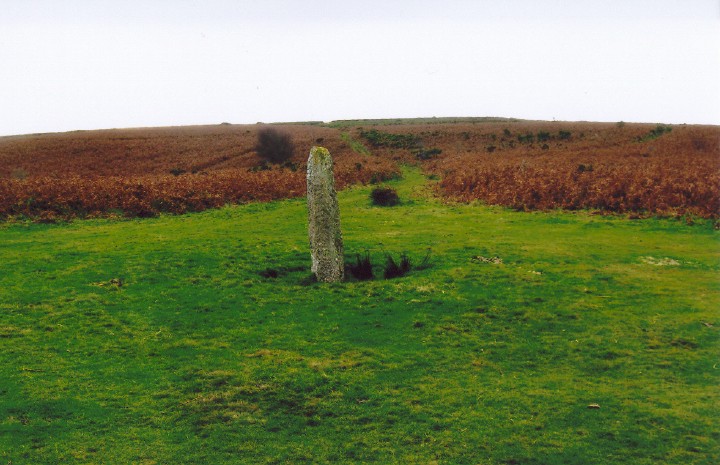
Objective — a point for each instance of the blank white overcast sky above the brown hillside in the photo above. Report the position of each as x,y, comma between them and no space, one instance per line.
88,64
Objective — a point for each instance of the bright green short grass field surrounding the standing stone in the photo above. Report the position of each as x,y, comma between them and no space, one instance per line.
168,341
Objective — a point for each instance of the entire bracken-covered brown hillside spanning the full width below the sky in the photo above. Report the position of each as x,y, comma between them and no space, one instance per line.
641,169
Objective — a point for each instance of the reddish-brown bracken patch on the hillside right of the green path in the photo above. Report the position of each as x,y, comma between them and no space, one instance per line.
641,169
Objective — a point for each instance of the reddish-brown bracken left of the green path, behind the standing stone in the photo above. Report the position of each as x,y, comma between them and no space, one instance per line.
144,172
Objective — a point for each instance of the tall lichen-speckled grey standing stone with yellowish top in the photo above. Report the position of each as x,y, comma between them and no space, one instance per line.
326,246
